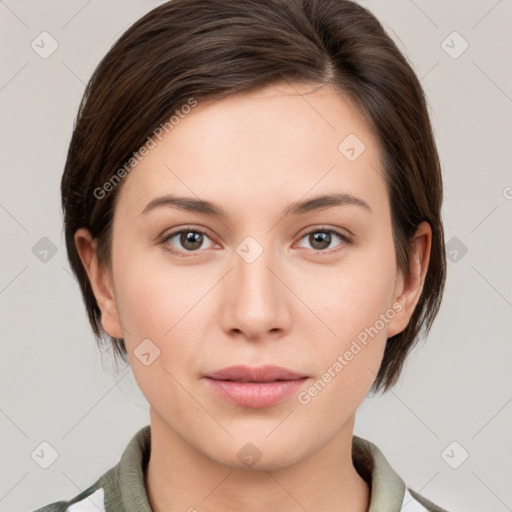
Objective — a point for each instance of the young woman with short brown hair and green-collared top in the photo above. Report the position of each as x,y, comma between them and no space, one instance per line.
252,206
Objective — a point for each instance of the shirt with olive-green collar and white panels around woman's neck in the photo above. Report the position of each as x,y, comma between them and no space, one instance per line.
121,488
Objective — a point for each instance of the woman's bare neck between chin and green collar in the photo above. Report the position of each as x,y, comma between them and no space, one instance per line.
180,478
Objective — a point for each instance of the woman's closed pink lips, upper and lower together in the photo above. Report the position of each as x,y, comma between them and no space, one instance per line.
255,387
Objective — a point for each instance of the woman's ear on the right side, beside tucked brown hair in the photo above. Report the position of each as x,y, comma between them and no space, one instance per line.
408,288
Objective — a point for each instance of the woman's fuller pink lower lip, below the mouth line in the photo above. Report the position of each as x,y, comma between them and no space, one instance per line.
256,394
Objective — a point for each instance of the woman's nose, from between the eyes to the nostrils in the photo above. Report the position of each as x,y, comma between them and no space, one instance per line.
256,302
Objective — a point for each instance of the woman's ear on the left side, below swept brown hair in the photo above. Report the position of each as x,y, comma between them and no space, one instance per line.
101,282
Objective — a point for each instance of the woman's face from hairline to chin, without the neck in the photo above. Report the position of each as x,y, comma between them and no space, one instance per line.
283,278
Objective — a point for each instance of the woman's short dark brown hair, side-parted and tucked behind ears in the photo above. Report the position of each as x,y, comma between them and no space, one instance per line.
208,49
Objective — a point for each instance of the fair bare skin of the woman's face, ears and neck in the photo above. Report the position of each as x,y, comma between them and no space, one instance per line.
298,305
